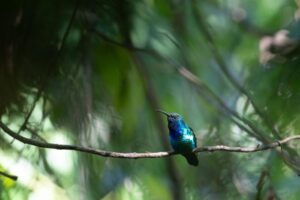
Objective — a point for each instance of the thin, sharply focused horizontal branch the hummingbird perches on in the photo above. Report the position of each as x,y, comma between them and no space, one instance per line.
134,155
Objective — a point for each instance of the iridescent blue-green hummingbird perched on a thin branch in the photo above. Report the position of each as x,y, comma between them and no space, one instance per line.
182,137
